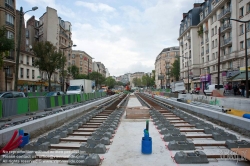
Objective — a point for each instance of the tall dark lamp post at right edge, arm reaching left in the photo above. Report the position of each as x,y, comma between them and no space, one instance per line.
246,58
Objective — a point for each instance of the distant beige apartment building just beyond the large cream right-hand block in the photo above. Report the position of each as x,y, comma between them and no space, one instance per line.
163,65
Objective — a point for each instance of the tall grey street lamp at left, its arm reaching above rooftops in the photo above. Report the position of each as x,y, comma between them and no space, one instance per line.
19,42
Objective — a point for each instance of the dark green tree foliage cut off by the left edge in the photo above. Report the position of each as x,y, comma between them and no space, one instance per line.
5,44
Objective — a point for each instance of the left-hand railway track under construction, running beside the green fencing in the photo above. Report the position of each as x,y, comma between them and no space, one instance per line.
79,142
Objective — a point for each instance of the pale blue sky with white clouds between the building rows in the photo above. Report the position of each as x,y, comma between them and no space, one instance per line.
125,35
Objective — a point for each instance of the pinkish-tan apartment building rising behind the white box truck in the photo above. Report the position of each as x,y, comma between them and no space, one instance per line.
82,60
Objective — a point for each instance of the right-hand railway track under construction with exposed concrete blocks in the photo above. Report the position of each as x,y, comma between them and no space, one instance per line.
191,139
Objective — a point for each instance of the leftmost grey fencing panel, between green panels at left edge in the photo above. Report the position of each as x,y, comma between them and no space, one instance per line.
9,107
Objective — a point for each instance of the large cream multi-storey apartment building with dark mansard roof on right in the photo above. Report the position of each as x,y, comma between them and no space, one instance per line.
214,35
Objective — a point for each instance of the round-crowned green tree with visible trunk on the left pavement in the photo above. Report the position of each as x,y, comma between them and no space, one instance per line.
48,58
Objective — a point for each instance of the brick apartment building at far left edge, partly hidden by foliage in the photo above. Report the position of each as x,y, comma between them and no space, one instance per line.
8,20
